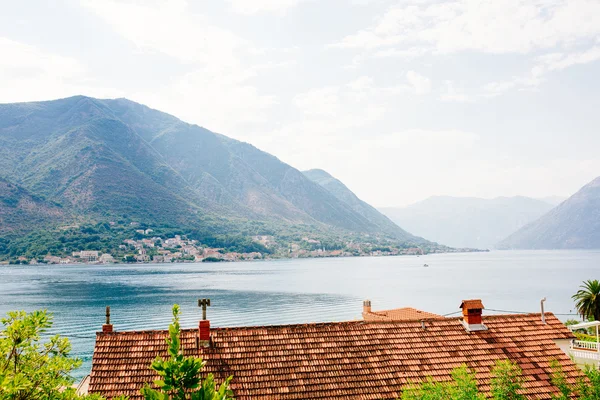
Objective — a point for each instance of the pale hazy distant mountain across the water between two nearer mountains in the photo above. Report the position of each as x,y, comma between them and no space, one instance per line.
466,221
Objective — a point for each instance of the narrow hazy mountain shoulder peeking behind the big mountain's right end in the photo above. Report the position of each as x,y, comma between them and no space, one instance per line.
342,193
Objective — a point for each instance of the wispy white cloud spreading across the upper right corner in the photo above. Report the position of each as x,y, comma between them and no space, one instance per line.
412,29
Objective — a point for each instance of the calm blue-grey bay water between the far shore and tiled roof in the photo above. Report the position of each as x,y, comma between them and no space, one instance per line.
290,291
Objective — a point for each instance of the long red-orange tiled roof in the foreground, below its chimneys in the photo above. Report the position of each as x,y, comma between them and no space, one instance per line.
360,360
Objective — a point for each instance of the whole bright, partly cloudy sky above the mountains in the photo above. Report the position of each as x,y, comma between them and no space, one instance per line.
400,100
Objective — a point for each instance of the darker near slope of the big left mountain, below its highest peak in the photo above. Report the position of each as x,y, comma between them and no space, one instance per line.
74,152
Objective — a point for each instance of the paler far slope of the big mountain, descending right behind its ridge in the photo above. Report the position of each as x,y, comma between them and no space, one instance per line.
237,174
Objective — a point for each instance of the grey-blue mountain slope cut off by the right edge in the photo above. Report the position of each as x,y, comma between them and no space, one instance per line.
573,224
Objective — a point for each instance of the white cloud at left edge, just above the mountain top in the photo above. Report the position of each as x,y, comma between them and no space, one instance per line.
29,73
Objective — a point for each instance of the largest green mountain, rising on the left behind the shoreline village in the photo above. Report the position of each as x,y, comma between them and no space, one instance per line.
101,160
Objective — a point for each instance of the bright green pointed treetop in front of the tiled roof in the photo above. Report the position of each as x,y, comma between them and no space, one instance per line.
180,375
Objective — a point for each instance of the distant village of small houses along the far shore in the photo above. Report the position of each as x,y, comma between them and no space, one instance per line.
154,249
